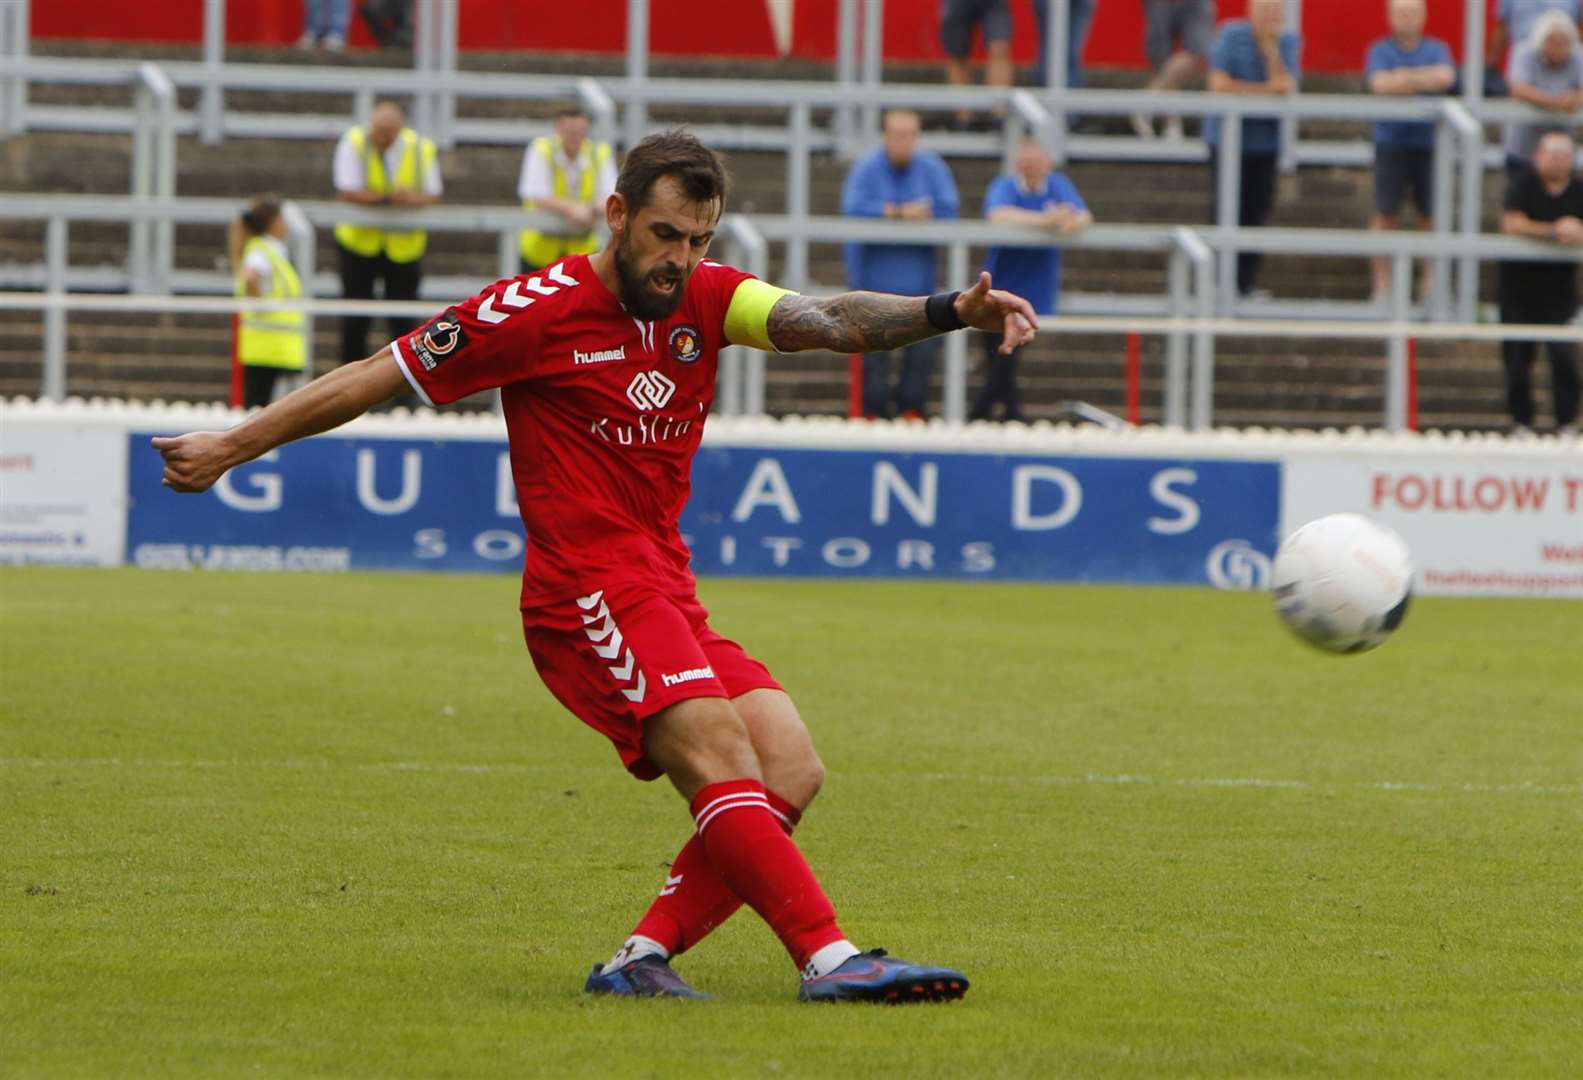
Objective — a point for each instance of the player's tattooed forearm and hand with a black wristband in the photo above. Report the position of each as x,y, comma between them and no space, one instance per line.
878,322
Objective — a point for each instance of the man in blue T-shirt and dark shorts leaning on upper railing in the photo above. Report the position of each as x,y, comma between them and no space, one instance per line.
1403,64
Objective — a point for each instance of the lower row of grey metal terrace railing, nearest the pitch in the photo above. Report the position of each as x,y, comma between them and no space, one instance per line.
1186,314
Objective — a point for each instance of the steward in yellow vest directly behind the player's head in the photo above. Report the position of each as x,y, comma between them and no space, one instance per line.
572,177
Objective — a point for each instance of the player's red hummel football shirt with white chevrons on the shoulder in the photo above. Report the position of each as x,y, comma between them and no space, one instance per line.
604,414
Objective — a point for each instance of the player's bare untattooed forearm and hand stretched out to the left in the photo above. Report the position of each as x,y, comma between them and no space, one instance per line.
196,462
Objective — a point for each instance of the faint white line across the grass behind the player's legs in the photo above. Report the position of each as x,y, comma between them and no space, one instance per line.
1096,780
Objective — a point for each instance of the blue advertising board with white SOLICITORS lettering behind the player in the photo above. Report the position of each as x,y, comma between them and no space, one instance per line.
406,504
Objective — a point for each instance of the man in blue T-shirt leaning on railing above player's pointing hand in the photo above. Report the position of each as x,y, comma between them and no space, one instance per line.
1030,196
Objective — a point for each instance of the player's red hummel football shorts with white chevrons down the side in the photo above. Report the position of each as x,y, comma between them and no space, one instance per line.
621,655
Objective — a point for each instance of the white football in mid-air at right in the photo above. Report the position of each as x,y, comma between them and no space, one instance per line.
1343,584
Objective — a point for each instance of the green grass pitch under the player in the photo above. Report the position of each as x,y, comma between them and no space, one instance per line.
316,826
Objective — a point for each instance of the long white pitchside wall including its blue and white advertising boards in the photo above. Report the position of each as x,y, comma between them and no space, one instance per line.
810,498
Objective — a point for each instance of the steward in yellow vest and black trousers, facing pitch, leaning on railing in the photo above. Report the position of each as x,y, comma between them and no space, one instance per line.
382,164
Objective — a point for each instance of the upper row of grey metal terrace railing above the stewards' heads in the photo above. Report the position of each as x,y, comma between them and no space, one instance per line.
1462,154
